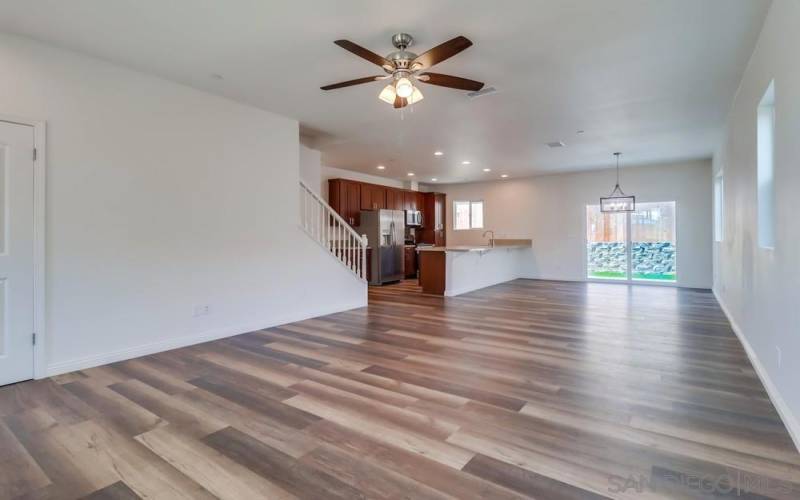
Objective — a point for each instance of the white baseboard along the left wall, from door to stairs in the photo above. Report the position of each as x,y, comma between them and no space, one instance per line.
186,340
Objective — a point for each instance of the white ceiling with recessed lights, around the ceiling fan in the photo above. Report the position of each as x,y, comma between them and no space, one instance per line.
651,78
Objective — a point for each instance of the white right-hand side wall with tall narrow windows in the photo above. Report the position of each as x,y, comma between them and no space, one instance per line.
759,288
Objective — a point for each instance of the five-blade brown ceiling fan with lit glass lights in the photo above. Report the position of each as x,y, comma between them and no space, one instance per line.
403,66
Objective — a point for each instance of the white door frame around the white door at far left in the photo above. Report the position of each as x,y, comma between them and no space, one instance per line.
39,233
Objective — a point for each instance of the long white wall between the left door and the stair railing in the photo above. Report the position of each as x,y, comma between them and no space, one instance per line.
161,198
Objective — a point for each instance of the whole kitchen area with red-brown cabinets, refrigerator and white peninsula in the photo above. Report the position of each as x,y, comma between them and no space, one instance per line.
406,238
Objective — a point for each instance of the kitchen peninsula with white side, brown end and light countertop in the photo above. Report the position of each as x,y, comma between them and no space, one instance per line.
453,270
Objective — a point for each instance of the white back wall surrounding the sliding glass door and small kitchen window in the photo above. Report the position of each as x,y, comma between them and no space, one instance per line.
551,211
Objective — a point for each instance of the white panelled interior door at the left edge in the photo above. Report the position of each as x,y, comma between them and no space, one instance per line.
16,252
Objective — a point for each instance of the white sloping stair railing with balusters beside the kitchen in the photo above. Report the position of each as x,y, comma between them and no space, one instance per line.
328,229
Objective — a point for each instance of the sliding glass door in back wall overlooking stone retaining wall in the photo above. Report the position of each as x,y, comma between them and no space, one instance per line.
636,246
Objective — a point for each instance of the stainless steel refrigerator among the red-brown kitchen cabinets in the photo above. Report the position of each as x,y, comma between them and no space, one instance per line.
385,230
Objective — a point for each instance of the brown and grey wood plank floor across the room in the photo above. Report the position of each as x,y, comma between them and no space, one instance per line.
535,389
